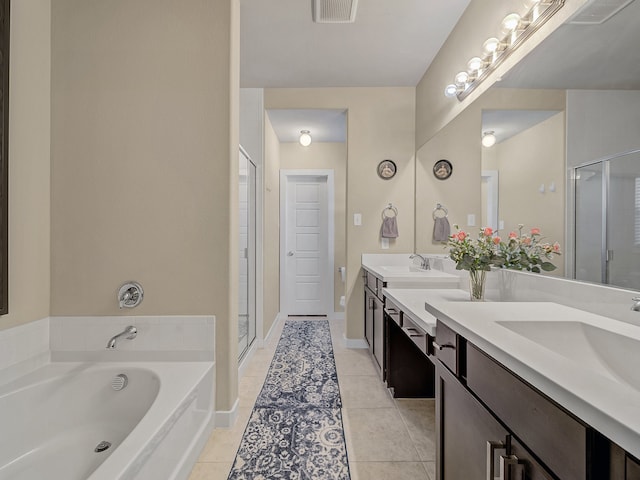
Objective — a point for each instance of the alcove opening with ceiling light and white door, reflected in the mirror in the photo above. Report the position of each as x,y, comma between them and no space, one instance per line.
526,164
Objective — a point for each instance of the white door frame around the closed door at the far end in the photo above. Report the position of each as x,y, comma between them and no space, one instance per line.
285,176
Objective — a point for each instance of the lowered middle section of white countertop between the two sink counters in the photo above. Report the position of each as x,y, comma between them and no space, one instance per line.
411,301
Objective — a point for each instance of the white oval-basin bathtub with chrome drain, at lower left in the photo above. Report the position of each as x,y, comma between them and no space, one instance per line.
52,420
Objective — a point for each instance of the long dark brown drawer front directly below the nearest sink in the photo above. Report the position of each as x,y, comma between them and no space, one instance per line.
558,440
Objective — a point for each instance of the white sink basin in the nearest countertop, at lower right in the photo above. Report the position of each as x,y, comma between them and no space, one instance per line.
607,353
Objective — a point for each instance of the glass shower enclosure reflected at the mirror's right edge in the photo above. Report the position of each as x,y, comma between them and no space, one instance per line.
607,221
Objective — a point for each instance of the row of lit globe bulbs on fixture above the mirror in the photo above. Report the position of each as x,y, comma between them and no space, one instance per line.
515,29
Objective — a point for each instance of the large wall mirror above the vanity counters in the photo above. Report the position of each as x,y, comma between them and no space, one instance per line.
586,78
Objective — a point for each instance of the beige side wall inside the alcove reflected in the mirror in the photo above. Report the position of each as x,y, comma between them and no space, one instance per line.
525,161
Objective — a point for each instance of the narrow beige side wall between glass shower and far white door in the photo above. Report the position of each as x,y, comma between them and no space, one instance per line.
271,244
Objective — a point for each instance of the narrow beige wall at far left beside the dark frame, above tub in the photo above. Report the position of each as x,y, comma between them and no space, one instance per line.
29,169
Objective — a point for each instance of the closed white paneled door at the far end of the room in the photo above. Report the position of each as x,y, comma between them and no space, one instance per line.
306,280
